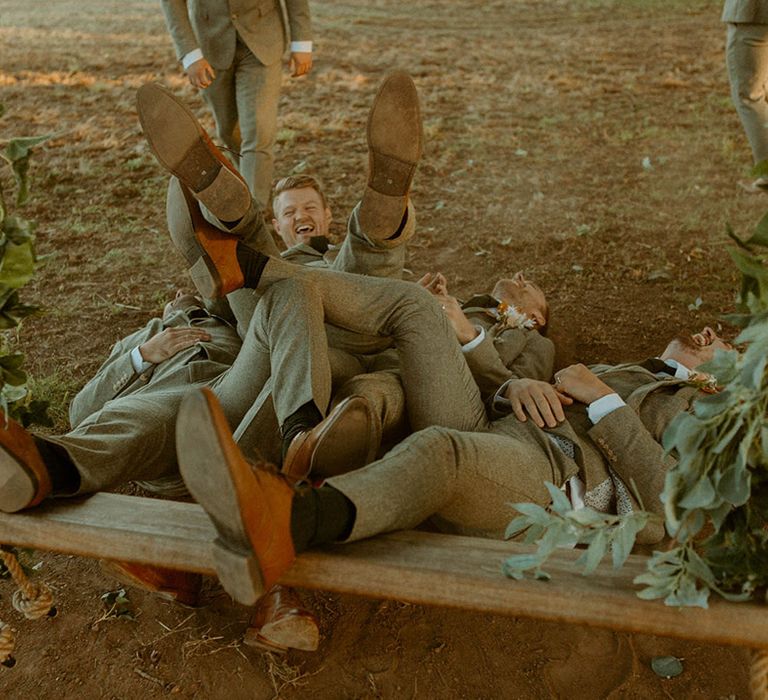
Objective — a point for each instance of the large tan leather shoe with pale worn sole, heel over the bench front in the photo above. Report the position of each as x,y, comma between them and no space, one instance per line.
250,506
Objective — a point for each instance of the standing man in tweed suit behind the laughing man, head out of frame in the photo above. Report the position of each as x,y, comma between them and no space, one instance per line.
231,49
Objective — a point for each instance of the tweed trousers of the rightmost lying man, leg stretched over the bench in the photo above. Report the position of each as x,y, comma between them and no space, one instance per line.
464,482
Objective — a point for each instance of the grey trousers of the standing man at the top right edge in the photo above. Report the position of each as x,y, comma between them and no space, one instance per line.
747,61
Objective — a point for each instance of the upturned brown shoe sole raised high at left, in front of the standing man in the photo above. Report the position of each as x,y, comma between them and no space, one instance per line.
183,147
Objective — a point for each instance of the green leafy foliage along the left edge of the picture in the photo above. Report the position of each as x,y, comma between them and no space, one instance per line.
18,263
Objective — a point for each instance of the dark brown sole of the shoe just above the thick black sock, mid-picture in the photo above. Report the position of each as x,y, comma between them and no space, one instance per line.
349,442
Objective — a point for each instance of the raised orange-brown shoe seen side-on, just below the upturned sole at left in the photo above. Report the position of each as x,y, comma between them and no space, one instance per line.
210,253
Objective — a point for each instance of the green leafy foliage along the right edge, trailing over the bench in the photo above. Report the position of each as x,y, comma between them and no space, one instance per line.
716,495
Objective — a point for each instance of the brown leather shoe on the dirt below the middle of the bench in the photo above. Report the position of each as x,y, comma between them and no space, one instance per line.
281,622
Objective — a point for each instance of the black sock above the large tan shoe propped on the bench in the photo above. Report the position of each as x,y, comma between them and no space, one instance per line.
320,516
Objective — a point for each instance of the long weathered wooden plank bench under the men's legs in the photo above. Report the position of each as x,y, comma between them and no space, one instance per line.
417,567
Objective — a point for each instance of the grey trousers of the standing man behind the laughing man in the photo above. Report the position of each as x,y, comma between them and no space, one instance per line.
244,100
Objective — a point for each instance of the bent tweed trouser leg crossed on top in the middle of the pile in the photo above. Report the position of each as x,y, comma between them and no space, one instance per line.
438,385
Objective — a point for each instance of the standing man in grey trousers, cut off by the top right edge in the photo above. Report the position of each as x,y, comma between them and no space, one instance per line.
746,55
